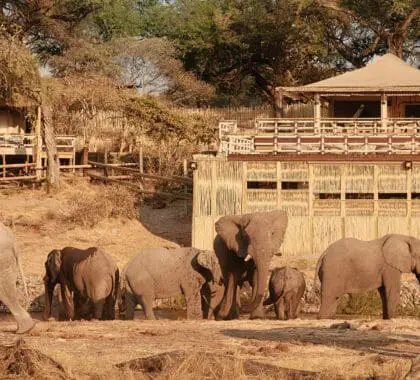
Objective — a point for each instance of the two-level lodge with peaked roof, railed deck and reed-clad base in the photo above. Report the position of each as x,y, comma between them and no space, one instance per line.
350,170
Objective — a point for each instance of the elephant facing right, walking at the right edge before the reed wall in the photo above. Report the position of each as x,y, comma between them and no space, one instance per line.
353,266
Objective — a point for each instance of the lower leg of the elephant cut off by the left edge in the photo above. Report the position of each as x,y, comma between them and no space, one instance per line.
9,296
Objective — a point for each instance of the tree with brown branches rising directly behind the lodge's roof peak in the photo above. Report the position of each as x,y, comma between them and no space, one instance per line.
359,29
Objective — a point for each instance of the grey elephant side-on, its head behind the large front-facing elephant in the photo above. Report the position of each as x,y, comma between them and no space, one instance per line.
168,272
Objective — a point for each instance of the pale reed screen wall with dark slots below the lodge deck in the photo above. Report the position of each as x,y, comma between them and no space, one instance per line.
325,201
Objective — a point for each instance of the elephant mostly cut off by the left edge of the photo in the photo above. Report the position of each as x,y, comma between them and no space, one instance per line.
9,267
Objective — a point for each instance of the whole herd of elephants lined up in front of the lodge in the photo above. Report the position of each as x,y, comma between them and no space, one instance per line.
91,285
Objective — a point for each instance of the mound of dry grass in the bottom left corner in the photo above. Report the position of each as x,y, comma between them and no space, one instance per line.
20,362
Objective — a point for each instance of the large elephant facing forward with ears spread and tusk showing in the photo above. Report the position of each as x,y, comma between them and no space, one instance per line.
244,246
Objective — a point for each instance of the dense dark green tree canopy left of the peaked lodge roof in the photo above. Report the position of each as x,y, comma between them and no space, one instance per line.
247,47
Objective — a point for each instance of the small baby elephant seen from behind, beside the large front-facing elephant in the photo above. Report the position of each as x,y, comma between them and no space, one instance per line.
286,287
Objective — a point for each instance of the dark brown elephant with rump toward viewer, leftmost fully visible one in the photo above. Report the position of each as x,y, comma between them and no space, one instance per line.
89,280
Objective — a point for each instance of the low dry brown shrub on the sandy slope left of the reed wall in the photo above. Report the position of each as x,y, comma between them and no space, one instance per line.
87,209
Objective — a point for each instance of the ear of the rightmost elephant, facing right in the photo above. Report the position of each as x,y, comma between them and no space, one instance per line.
397,254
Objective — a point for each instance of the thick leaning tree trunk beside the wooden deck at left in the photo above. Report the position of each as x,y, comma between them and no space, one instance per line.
53,168
